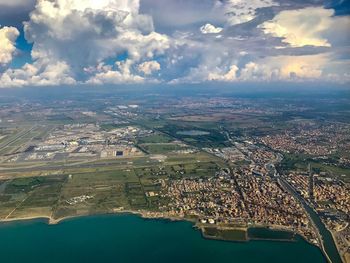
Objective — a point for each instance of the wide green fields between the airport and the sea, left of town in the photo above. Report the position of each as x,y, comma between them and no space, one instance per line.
131,184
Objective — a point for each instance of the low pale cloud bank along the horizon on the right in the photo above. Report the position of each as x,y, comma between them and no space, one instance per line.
273,68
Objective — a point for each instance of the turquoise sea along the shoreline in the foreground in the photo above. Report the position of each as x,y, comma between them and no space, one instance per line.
129,238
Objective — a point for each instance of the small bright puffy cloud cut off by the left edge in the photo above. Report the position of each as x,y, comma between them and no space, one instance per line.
8,36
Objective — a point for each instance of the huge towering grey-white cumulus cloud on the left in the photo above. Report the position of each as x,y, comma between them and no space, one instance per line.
83,34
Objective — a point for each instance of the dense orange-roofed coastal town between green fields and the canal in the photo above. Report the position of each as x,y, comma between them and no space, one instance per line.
240,199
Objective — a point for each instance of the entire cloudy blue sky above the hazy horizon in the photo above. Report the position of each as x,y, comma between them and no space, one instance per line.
71,42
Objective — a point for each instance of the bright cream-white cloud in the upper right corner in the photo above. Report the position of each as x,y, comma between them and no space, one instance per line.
307,26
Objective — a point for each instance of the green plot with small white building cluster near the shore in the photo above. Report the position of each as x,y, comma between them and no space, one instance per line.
94,193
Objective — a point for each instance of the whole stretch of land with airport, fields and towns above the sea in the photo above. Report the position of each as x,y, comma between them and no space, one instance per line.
60,162
